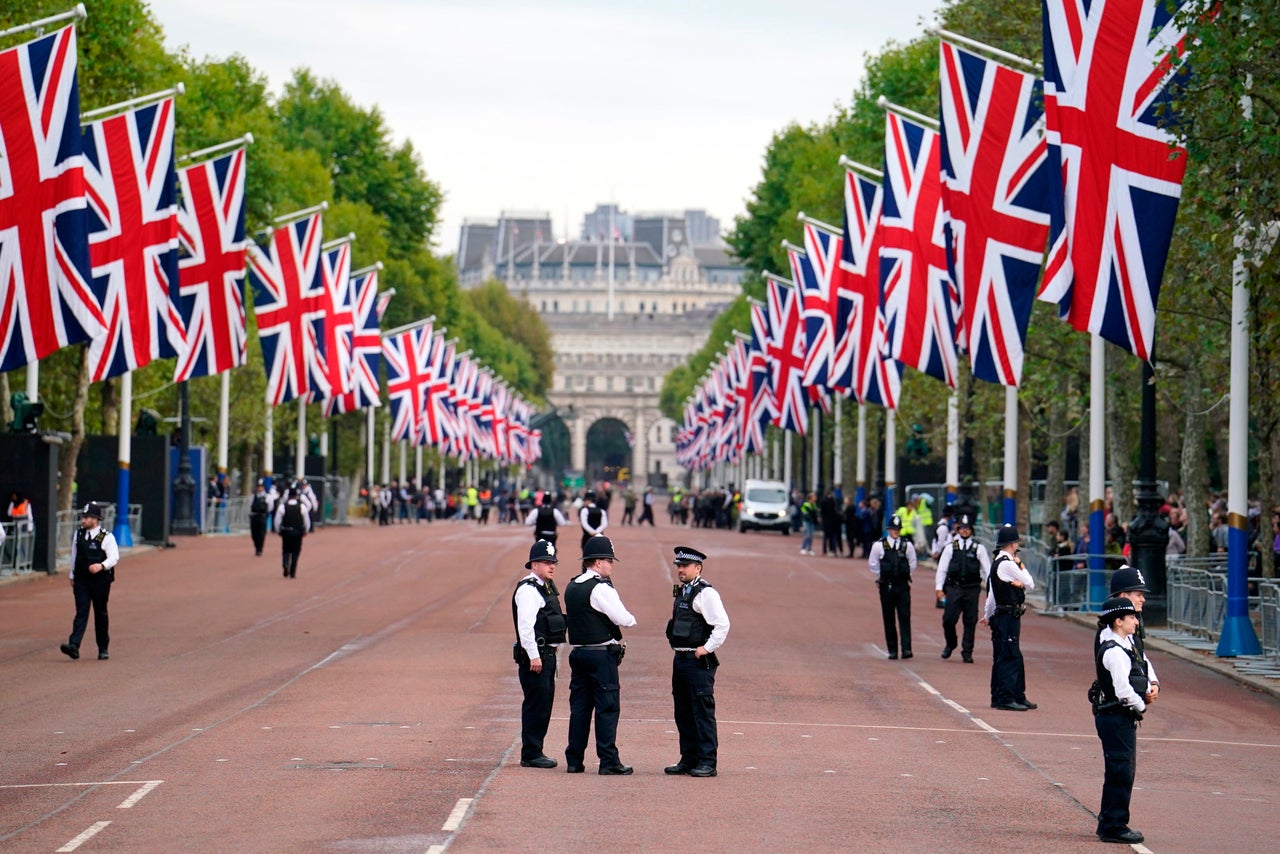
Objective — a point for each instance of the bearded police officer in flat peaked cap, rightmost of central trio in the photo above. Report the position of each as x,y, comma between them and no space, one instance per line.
698,628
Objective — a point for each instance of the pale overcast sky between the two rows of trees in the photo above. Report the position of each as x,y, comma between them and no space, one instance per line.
561,104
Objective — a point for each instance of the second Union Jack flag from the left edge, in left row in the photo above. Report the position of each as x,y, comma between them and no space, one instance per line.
134,239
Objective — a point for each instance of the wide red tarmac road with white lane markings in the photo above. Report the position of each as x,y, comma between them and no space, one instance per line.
372,706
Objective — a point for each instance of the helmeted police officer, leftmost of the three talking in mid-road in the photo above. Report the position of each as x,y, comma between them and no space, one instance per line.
540,629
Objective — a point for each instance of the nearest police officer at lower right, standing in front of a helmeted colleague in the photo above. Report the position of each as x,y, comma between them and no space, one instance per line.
1119,696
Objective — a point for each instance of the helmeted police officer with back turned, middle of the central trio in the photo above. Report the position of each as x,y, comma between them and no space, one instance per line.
596,618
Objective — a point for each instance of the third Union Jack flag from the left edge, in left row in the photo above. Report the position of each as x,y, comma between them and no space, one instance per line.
212,266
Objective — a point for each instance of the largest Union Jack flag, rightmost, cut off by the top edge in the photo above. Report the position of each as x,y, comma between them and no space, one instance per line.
1107,65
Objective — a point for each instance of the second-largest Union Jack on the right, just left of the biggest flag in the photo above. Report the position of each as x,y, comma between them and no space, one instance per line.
995,189
